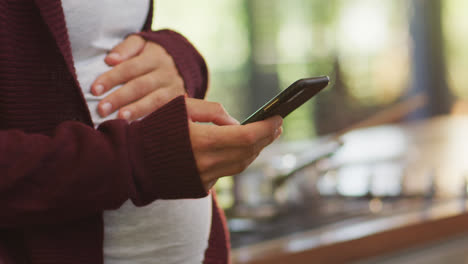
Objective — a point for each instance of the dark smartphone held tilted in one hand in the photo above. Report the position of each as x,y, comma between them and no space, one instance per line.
291,98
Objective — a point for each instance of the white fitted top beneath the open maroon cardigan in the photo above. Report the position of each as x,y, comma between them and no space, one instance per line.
166,231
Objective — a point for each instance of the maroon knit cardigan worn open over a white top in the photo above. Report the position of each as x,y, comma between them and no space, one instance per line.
58,173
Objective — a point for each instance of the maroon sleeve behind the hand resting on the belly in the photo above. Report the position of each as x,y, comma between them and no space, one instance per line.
189,62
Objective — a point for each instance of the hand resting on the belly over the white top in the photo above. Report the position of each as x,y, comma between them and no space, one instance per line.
148,74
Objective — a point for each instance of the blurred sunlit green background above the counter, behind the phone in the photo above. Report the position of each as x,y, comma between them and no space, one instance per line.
375,52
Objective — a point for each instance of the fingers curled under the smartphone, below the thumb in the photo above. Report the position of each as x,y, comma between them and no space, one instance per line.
227,150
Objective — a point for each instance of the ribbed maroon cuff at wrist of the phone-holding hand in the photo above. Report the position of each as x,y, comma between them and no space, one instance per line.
167,169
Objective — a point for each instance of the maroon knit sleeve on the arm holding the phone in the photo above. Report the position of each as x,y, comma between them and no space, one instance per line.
80,171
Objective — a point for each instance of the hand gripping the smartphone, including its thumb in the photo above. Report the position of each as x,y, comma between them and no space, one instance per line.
226,148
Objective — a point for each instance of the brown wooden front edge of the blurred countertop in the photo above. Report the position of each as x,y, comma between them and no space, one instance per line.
360,238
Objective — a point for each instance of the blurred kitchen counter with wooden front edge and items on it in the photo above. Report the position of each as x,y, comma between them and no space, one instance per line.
408,189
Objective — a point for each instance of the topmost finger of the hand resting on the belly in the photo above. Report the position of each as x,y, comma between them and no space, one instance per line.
130,47
